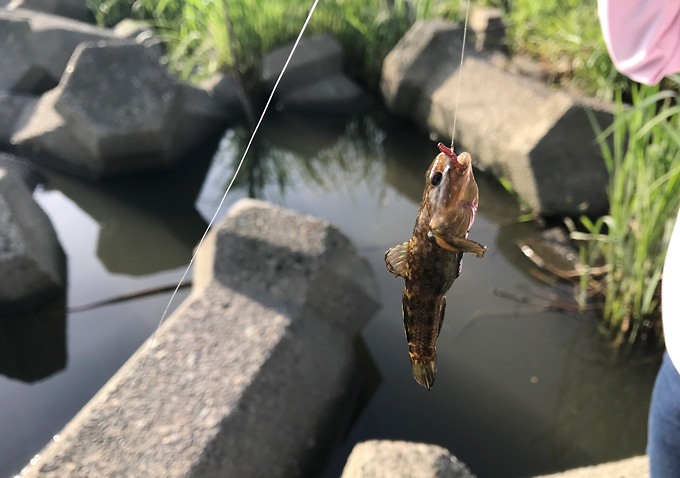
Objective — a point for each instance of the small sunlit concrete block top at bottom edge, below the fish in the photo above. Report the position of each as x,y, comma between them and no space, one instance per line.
400,459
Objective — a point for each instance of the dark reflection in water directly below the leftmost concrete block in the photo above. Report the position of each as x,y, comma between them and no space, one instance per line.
33,346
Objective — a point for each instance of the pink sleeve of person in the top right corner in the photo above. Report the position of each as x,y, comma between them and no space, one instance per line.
643,37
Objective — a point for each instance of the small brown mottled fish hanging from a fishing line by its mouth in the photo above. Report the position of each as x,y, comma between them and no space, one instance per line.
431,260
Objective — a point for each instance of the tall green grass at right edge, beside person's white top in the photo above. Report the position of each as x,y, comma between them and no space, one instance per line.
643,159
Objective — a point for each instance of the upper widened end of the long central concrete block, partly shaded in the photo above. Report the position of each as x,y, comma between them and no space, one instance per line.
298,262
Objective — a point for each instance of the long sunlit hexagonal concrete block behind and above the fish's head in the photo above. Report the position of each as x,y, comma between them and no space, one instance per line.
538,138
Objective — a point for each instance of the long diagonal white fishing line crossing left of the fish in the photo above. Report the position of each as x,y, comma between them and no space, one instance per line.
214,217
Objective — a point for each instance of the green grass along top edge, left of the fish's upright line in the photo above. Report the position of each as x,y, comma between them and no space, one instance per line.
196,35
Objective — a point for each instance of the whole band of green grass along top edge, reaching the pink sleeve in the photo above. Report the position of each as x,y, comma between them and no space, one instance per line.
564,35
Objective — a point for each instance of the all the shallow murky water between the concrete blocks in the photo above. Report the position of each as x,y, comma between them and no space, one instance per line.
519,391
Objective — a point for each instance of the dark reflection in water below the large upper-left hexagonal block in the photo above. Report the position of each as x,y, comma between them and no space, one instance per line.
136,214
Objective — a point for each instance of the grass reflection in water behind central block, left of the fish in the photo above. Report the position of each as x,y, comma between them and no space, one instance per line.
337,156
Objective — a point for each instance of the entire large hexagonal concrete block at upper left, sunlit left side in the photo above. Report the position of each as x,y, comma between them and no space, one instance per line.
117,110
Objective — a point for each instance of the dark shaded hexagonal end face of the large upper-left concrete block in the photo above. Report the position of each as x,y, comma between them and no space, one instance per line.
120,103
